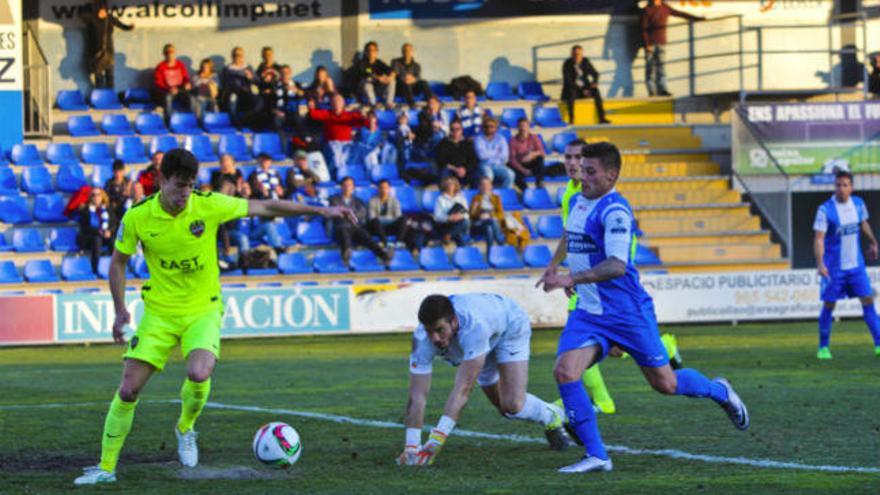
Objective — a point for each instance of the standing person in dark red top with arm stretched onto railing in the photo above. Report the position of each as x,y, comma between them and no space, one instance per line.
653,22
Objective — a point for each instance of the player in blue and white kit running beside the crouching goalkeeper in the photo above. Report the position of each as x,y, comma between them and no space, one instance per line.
613,309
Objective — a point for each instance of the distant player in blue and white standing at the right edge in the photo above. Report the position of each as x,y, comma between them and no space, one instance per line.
837,246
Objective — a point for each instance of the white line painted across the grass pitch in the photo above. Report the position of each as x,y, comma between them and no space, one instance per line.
671,453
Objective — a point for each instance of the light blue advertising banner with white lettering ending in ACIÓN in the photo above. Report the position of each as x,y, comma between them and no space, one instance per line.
249,313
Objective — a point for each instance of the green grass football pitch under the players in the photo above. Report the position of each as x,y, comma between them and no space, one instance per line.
803,410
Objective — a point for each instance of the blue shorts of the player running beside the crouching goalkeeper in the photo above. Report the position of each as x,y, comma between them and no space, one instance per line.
637,335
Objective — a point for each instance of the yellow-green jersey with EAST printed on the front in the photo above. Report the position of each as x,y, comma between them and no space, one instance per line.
180,251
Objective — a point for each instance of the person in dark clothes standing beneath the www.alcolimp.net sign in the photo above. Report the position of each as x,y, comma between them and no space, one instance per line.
100,53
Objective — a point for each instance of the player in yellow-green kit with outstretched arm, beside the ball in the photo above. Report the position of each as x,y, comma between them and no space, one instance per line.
177,228
